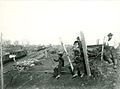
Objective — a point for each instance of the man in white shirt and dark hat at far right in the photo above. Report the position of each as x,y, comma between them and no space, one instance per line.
110,50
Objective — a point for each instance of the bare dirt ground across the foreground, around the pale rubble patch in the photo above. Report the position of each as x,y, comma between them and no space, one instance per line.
41,76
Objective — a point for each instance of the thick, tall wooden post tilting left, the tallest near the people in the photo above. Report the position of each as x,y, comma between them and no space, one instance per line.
85,54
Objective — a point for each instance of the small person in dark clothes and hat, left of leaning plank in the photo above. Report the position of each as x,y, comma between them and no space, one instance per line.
60,65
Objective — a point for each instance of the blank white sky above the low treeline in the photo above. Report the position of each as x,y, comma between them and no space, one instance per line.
44,22
